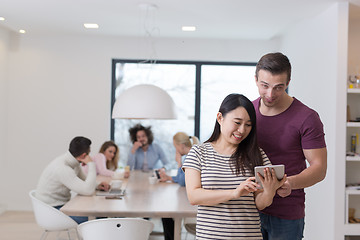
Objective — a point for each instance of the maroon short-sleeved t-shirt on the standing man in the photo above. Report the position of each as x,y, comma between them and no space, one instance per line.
283,138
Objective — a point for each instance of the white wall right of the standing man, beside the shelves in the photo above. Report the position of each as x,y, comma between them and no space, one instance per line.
317,49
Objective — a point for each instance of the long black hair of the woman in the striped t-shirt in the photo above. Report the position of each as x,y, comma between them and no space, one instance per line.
247,154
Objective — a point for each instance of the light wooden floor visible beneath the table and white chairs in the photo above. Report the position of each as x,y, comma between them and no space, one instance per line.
19,225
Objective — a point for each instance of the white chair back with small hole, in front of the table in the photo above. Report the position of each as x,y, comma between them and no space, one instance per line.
116,228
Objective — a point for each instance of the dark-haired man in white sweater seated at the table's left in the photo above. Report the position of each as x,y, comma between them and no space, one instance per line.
64,174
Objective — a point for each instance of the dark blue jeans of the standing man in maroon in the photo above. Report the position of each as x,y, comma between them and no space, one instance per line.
274,228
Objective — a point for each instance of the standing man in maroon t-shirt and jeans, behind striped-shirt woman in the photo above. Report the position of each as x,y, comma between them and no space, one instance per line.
290,133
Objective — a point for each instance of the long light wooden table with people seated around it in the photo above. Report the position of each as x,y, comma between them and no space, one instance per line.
142,199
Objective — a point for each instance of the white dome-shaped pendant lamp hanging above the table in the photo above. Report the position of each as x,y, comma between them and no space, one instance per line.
144,101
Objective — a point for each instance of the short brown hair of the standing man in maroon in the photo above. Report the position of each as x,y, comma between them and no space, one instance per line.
276,63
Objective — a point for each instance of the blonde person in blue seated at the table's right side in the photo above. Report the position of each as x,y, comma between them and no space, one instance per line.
182,143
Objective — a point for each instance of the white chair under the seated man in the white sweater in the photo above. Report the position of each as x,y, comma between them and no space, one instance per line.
51,219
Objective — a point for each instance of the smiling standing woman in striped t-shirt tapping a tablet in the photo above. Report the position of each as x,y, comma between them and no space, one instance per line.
220,175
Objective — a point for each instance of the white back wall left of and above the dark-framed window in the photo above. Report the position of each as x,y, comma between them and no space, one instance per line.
59,87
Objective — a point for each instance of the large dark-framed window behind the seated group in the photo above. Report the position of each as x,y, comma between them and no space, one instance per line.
197,89
